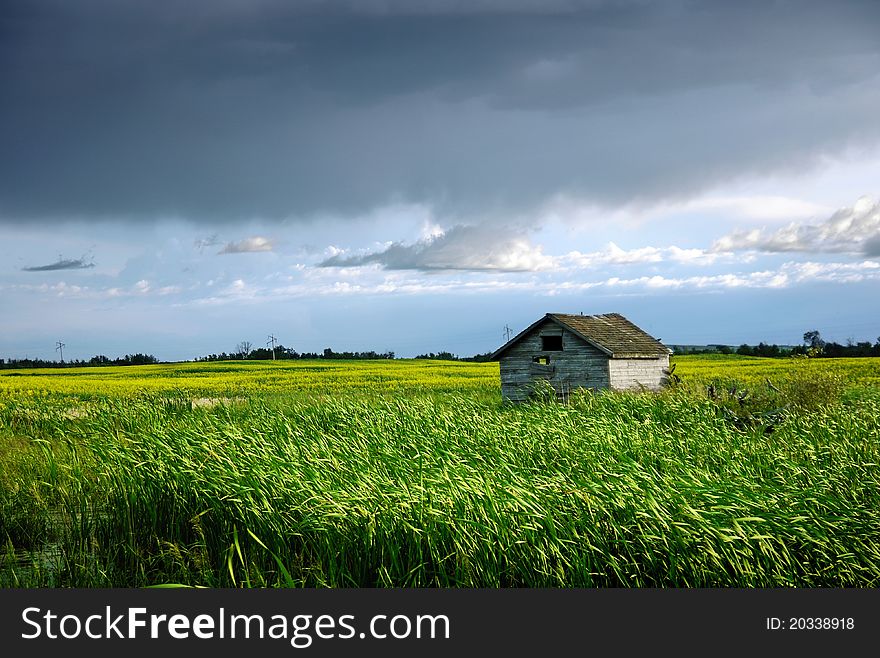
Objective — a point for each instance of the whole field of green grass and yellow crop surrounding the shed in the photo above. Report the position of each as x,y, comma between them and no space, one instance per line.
414,473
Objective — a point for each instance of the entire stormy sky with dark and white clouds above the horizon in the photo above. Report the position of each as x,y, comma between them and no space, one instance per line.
390,175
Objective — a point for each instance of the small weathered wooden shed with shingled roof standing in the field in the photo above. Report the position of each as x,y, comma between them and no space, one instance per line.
581,351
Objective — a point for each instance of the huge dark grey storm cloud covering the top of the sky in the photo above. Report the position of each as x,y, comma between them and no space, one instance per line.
230,110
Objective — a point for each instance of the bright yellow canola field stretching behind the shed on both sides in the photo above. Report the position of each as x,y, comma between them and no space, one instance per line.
237,379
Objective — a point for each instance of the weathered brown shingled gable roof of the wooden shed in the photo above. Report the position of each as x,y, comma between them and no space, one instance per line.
611,333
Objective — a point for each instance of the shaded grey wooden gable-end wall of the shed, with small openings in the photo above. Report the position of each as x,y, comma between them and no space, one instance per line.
578,365
